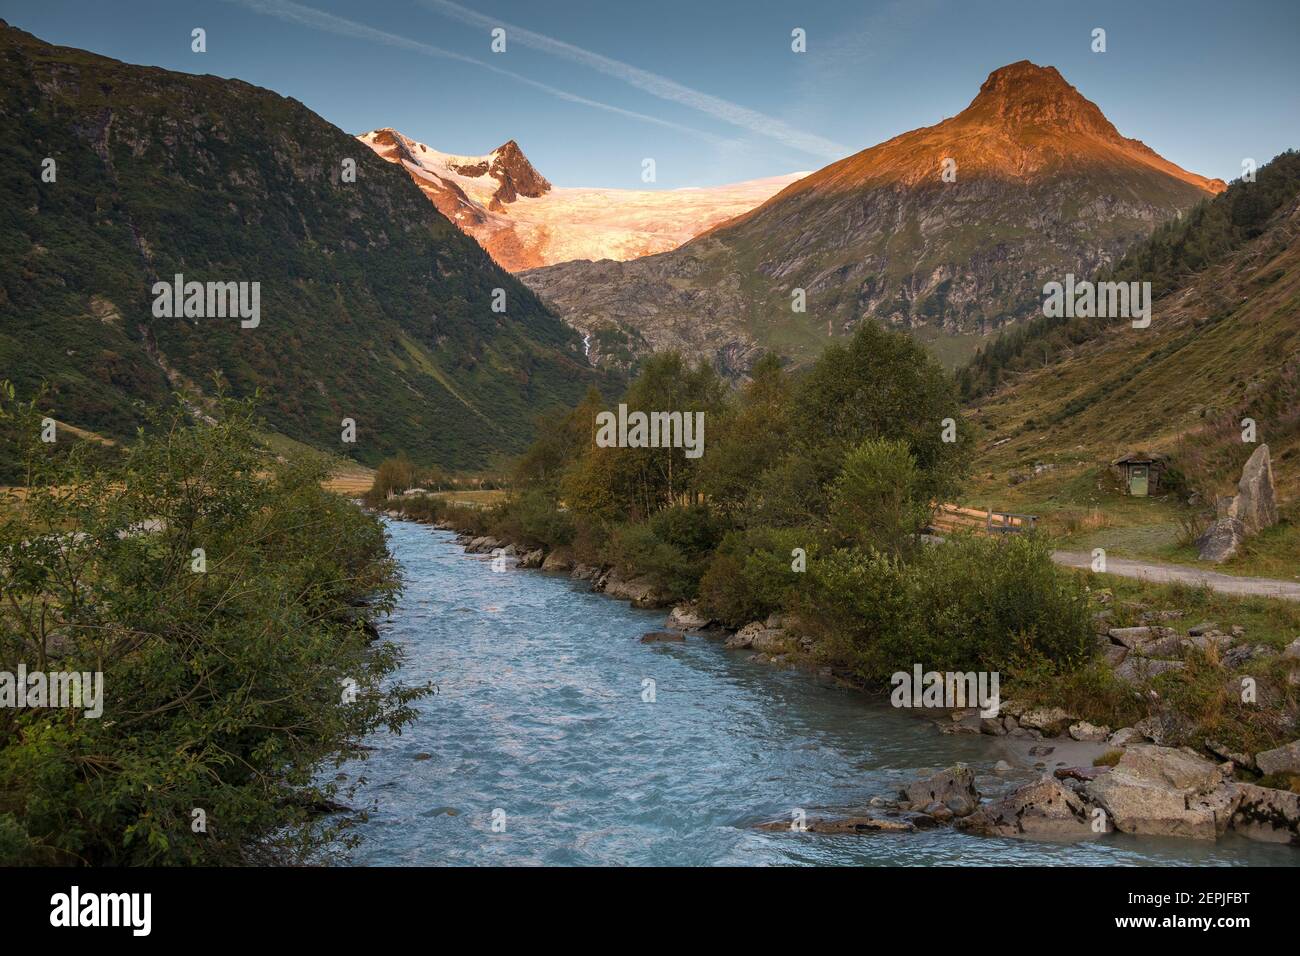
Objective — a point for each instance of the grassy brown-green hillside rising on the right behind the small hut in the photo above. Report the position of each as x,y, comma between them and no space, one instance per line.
1224,345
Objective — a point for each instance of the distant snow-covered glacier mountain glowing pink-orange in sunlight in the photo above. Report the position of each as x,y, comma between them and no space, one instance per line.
525,222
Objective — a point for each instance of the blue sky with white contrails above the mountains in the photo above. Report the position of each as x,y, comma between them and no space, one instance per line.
712,89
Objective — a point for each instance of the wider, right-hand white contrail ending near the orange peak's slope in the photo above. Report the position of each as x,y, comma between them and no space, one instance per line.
655,84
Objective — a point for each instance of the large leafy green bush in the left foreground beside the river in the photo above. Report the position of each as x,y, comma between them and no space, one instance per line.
222,682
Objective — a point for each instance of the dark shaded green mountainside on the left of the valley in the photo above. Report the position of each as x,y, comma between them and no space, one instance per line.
372,305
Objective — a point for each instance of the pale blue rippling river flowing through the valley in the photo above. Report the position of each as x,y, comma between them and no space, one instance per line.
540,750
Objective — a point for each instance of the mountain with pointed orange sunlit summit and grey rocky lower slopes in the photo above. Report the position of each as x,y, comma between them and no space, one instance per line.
1043,185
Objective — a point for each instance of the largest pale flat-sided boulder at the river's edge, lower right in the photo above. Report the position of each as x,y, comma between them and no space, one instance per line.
1162,791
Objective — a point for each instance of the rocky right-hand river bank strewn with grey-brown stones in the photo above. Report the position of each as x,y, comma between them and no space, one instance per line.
1009,773
